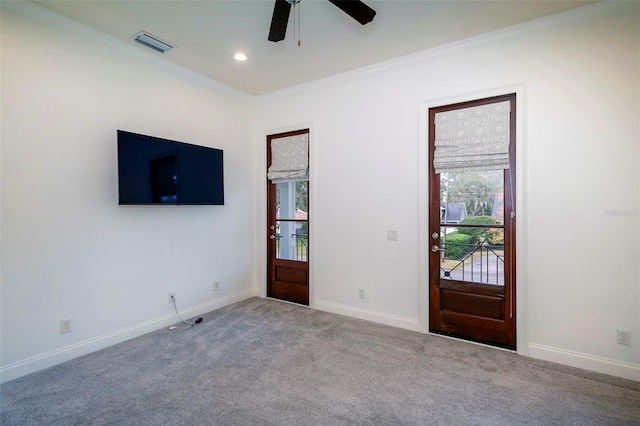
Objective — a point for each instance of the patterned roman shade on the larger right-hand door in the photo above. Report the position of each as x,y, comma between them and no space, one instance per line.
474,138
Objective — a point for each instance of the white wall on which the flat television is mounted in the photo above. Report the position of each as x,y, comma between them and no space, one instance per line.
68,249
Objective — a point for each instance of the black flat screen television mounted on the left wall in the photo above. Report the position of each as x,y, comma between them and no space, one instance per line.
160,171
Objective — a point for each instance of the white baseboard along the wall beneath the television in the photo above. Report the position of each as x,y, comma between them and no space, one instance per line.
49,359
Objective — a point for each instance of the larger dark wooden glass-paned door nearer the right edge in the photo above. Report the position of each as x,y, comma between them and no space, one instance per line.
472,225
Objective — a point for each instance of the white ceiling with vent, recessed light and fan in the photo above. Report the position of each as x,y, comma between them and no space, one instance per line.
207,33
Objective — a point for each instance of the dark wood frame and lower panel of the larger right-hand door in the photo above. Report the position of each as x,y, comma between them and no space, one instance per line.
463,309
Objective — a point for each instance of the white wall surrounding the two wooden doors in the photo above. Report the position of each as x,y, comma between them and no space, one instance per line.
579,276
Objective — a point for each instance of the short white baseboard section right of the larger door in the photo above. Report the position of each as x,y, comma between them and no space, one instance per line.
612,367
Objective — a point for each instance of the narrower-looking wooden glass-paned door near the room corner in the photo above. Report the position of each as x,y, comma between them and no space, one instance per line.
287,232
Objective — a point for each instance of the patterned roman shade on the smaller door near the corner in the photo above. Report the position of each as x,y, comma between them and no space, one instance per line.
289,159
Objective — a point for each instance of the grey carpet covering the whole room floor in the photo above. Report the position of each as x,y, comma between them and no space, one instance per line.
264,362
